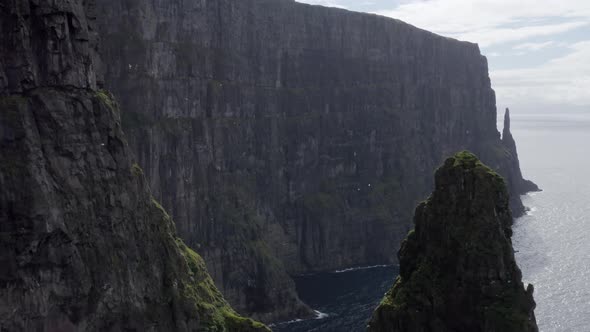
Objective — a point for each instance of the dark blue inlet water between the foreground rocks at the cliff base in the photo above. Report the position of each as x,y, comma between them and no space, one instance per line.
344,300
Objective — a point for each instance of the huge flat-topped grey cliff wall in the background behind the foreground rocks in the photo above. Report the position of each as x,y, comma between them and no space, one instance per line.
297,135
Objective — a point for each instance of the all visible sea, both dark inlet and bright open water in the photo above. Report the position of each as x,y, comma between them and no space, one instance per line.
552,241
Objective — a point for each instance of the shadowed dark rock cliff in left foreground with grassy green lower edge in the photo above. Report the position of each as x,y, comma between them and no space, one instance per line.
83,245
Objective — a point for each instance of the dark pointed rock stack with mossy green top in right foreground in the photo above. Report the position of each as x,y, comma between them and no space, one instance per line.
457,267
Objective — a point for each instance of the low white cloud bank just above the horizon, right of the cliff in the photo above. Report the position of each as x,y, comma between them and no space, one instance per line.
564,80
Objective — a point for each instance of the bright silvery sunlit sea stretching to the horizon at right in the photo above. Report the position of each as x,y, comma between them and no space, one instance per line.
553,241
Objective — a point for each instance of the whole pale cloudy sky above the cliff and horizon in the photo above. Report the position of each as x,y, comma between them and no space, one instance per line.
538,50
